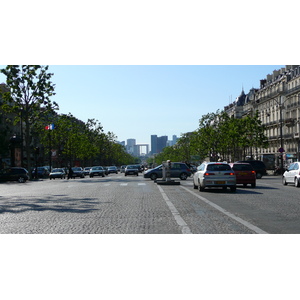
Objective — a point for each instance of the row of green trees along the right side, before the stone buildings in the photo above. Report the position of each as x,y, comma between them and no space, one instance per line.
218,137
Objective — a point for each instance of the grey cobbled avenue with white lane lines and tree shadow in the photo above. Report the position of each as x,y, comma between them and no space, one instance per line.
117,204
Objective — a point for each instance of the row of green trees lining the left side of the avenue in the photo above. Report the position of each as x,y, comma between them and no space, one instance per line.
28,100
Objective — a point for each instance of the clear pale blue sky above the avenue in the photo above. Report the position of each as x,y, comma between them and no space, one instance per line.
136,101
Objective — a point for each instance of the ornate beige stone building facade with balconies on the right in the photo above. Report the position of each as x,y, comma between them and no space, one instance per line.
277,101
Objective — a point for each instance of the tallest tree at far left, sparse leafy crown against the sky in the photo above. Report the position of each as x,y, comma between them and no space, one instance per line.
29,95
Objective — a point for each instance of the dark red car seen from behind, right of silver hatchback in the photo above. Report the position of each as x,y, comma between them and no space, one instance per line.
244,173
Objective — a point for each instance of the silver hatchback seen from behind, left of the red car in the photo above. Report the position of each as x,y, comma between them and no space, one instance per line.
214,174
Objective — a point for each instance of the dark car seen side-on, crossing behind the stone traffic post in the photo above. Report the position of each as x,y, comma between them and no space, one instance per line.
178,170
